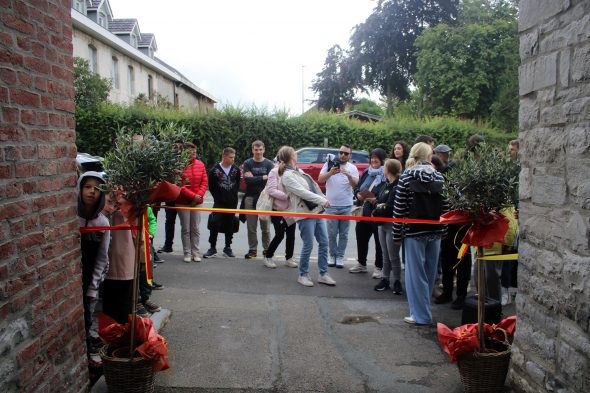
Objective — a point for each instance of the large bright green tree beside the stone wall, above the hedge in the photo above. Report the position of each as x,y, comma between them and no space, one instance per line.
470,69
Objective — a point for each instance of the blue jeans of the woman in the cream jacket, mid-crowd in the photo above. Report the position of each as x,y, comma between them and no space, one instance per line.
308,228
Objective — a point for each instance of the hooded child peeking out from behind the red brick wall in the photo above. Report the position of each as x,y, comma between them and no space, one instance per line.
94,245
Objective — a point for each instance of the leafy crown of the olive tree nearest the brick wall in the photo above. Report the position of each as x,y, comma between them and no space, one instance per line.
143,158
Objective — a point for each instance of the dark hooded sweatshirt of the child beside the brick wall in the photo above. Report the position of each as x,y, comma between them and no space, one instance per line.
94,245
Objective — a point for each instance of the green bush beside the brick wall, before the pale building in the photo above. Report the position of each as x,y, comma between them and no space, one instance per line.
90,90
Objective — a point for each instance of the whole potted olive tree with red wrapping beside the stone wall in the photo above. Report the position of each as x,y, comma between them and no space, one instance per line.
482,190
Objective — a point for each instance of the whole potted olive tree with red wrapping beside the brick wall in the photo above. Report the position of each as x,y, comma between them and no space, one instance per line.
144,167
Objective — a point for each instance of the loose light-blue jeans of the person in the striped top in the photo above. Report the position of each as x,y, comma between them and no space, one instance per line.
421,264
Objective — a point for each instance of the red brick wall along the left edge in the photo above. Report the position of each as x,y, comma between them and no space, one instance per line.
41,317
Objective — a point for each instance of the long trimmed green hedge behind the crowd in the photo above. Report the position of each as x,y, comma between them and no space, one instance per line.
95,131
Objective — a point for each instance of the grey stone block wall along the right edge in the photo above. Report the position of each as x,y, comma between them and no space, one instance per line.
552,344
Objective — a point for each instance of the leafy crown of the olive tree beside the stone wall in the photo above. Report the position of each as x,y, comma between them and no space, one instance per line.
483,182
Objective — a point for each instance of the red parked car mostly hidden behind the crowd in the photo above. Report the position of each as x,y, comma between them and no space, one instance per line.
311,160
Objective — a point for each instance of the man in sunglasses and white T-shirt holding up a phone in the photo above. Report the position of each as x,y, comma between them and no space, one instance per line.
340,177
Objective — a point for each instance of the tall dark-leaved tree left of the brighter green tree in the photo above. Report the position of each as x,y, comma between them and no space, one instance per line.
383,56
